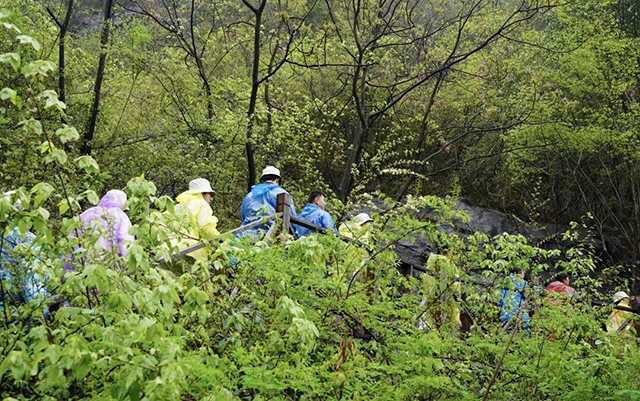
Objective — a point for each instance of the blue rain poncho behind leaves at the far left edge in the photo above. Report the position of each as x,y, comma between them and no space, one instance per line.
19,284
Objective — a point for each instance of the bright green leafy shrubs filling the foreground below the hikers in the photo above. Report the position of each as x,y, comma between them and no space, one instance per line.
287,322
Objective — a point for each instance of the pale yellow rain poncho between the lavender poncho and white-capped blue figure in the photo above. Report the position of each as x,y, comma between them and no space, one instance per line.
200,223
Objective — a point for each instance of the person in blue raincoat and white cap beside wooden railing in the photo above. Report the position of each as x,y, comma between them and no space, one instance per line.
261,201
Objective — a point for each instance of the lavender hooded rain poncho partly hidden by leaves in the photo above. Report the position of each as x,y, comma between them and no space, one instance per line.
108,219
